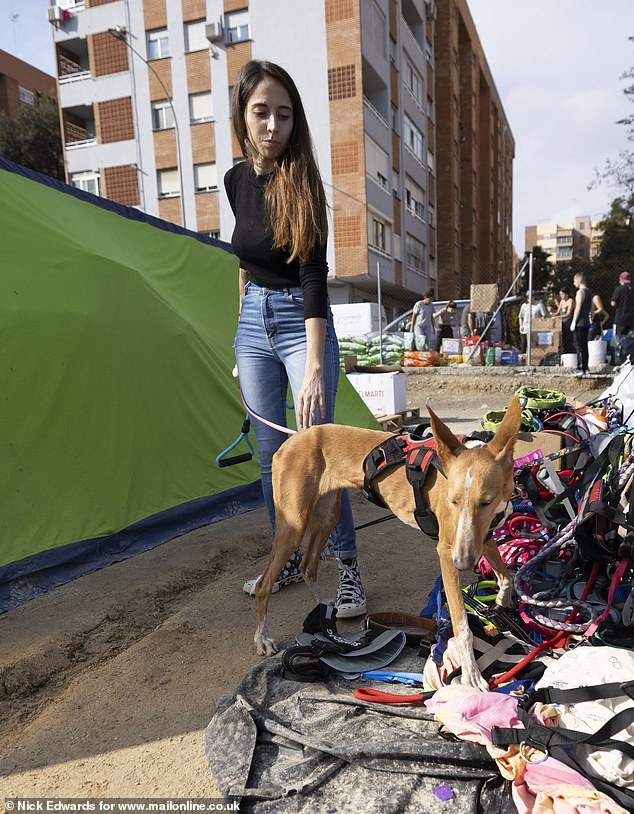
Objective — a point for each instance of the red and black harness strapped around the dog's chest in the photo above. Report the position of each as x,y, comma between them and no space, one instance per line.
418,455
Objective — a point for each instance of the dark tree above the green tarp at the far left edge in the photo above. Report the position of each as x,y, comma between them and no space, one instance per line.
32,138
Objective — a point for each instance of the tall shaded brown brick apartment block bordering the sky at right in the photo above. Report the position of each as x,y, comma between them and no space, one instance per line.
474,151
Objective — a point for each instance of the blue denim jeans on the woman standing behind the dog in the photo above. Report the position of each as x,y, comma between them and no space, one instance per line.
271,353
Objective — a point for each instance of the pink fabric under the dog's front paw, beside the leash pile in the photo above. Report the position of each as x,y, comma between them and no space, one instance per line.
538,788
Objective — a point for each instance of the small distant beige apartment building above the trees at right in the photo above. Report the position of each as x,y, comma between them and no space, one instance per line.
565,241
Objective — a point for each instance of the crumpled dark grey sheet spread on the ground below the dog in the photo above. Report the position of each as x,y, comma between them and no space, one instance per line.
285,746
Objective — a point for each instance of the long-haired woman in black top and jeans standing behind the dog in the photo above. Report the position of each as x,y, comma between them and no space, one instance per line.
285,329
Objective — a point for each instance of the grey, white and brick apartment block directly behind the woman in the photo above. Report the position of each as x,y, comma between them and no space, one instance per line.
144,88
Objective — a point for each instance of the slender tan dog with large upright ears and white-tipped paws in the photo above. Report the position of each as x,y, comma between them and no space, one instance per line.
311,469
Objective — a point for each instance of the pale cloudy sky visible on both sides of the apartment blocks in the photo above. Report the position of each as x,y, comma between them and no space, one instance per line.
556,65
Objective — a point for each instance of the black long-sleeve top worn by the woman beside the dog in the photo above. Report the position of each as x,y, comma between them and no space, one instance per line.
252,241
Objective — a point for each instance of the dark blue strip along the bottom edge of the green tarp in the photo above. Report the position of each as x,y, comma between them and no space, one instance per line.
25,579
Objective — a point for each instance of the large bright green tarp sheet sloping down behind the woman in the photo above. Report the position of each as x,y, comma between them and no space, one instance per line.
115,362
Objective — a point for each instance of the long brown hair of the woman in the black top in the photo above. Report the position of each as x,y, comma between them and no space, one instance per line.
294,197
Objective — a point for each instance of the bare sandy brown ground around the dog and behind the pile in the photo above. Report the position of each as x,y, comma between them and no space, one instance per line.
107,683
